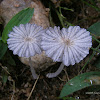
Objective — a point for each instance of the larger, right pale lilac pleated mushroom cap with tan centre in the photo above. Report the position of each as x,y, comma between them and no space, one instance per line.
68,45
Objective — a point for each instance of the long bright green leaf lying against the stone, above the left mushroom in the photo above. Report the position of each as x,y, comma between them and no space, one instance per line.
22,17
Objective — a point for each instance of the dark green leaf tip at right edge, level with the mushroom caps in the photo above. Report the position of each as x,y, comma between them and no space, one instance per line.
95,29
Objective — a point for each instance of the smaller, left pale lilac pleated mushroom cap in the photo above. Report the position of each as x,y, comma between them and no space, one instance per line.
25,40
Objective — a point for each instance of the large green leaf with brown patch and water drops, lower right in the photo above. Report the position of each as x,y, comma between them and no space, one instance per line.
79,82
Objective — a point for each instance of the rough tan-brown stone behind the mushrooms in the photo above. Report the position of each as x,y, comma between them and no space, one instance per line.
8,8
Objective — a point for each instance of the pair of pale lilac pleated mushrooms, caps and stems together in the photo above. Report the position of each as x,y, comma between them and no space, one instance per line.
68,45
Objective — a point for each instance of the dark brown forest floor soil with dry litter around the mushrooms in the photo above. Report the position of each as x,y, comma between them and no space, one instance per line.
20,82
